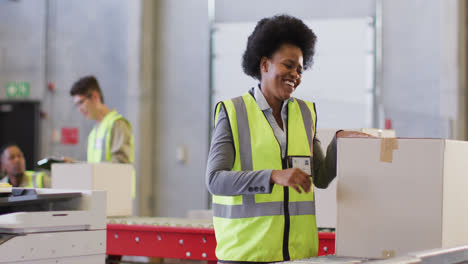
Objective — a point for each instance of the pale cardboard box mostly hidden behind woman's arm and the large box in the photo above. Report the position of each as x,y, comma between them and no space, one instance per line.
325,199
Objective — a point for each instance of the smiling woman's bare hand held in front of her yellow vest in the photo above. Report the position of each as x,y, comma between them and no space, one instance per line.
293,177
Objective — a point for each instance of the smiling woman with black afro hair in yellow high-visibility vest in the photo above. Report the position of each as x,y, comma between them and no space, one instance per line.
264,158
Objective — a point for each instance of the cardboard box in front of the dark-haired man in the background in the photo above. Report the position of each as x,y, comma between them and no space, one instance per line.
114,178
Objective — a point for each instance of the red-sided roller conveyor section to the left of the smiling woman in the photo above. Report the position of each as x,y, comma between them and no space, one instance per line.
161,237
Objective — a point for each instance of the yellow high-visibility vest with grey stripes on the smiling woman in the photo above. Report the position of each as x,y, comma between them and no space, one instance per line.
237,218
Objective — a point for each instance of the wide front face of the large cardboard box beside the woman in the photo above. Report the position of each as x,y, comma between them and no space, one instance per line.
389,208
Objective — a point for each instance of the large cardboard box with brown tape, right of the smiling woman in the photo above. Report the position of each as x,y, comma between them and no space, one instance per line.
396,196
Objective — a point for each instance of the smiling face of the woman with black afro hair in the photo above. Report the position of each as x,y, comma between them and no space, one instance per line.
281,74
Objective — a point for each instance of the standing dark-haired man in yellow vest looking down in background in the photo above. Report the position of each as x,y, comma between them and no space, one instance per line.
111,139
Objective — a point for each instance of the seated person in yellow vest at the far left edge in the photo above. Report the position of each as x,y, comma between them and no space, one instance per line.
13,170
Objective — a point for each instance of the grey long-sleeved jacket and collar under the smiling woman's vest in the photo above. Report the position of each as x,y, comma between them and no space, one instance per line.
220,178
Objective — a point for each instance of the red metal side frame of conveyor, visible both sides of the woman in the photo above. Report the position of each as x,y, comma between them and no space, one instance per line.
197,243
